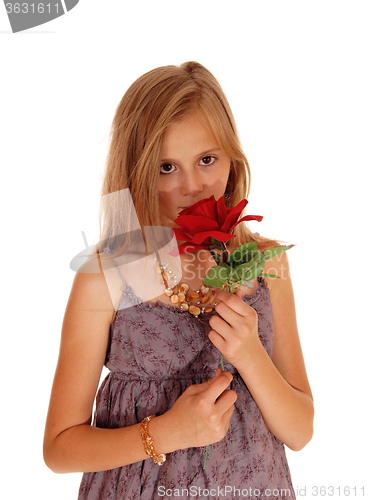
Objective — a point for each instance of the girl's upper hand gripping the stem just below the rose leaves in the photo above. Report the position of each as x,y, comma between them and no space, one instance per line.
235,332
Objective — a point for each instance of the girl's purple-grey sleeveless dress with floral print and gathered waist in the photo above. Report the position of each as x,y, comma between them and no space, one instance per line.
155,353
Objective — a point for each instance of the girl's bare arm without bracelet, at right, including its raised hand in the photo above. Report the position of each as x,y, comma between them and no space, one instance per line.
279,386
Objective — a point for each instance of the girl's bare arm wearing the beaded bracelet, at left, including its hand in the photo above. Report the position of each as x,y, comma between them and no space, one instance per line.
71,444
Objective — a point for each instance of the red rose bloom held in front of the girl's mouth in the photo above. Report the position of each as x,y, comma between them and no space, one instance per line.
208,219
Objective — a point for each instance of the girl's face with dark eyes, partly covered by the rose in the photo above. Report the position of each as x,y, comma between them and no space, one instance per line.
193,167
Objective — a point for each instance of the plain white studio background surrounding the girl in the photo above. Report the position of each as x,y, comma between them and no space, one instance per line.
295,74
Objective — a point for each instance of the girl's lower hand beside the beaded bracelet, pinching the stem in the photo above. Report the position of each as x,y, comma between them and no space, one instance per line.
201,415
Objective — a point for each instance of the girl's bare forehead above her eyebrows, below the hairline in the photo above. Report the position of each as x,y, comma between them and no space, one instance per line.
191,132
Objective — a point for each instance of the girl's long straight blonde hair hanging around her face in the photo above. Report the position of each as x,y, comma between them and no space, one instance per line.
150,105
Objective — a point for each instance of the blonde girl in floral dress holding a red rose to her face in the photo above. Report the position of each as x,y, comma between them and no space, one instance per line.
173,143
